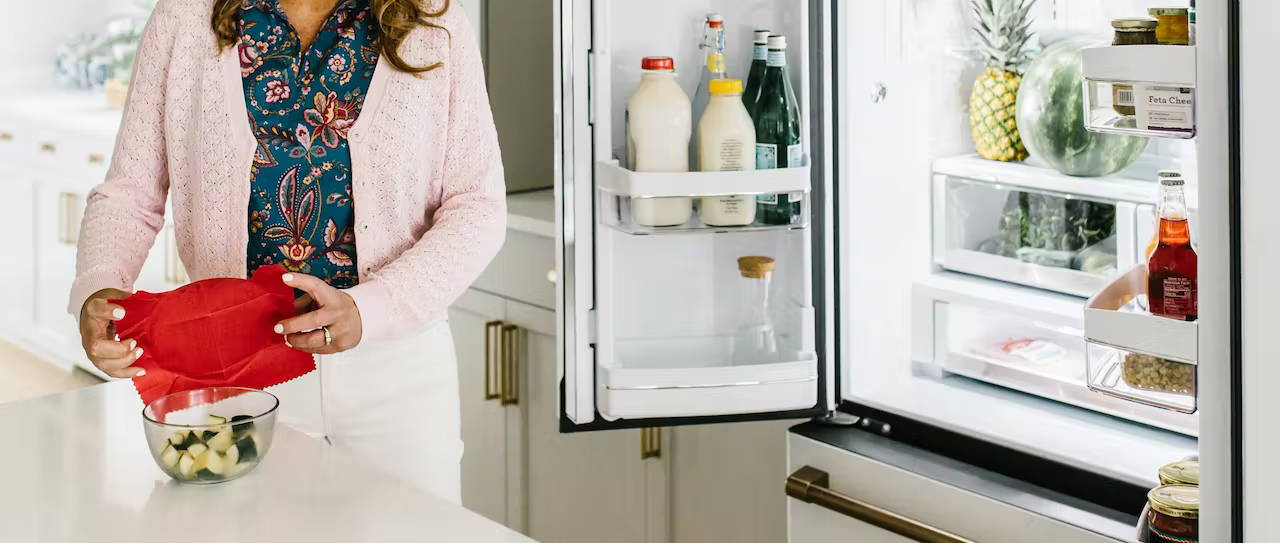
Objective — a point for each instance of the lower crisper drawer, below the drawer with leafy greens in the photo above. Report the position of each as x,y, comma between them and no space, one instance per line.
1020,339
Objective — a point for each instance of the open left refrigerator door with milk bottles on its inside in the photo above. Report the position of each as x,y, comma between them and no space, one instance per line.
653,321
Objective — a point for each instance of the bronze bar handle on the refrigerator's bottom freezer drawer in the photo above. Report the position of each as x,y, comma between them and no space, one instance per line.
813,486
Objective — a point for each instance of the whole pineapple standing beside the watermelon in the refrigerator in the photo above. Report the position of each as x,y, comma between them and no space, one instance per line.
1004,31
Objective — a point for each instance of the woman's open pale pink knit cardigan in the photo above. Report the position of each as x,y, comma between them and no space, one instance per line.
427,172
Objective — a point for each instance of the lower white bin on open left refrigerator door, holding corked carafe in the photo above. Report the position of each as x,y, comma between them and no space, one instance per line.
696,377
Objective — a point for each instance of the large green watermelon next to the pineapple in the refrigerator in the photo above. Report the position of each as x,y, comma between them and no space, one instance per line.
1052,117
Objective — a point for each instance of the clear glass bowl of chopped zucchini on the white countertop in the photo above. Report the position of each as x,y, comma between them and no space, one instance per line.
211,435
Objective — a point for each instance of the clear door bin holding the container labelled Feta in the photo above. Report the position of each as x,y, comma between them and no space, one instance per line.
1154,85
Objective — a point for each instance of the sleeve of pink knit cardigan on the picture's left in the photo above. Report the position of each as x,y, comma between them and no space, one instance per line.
125,213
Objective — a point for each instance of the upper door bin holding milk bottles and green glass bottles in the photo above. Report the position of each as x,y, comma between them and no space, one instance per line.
648,203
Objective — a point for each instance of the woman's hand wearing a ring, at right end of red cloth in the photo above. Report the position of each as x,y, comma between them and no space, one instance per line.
330,309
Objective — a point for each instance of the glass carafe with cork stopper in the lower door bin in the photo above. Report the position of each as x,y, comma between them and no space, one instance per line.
755,341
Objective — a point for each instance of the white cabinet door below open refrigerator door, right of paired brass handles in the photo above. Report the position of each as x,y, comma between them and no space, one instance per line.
583,487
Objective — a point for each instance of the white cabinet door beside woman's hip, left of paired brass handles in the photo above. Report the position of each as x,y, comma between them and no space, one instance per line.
484,419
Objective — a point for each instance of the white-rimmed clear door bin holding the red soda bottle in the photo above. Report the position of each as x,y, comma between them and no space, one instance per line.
1136,355
